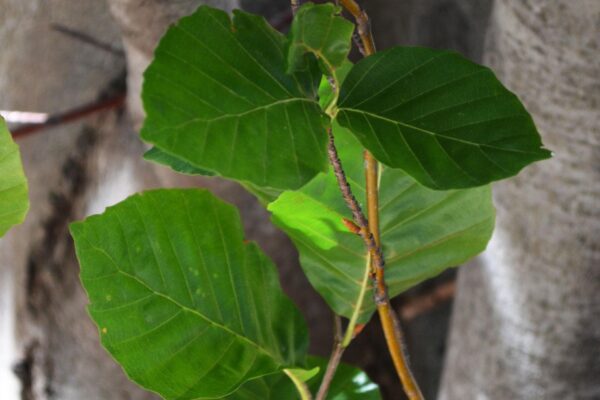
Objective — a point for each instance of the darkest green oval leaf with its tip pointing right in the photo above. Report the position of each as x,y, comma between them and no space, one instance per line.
443,119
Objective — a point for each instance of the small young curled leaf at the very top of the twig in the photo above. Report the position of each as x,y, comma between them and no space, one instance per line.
320,30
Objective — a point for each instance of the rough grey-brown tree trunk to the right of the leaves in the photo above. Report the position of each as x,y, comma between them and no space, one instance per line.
526,320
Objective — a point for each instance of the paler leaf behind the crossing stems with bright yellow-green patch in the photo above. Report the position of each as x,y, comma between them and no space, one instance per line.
423,231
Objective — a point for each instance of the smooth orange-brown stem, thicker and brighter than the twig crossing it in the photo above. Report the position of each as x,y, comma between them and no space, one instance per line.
389,319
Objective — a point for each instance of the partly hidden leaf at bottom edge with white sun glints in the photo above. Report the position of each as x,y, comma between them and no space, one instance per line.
349,383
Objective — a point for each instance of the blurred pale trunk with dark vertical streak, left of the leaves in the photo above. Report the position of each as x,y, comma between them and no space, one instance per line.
73,170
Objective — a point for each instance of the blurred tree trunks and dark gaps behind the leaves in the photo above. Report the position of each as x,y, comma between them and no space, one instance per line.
520,322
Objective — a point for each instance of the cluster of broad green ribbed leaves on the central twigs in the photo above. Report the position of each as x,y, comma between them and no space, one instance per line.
187,306
